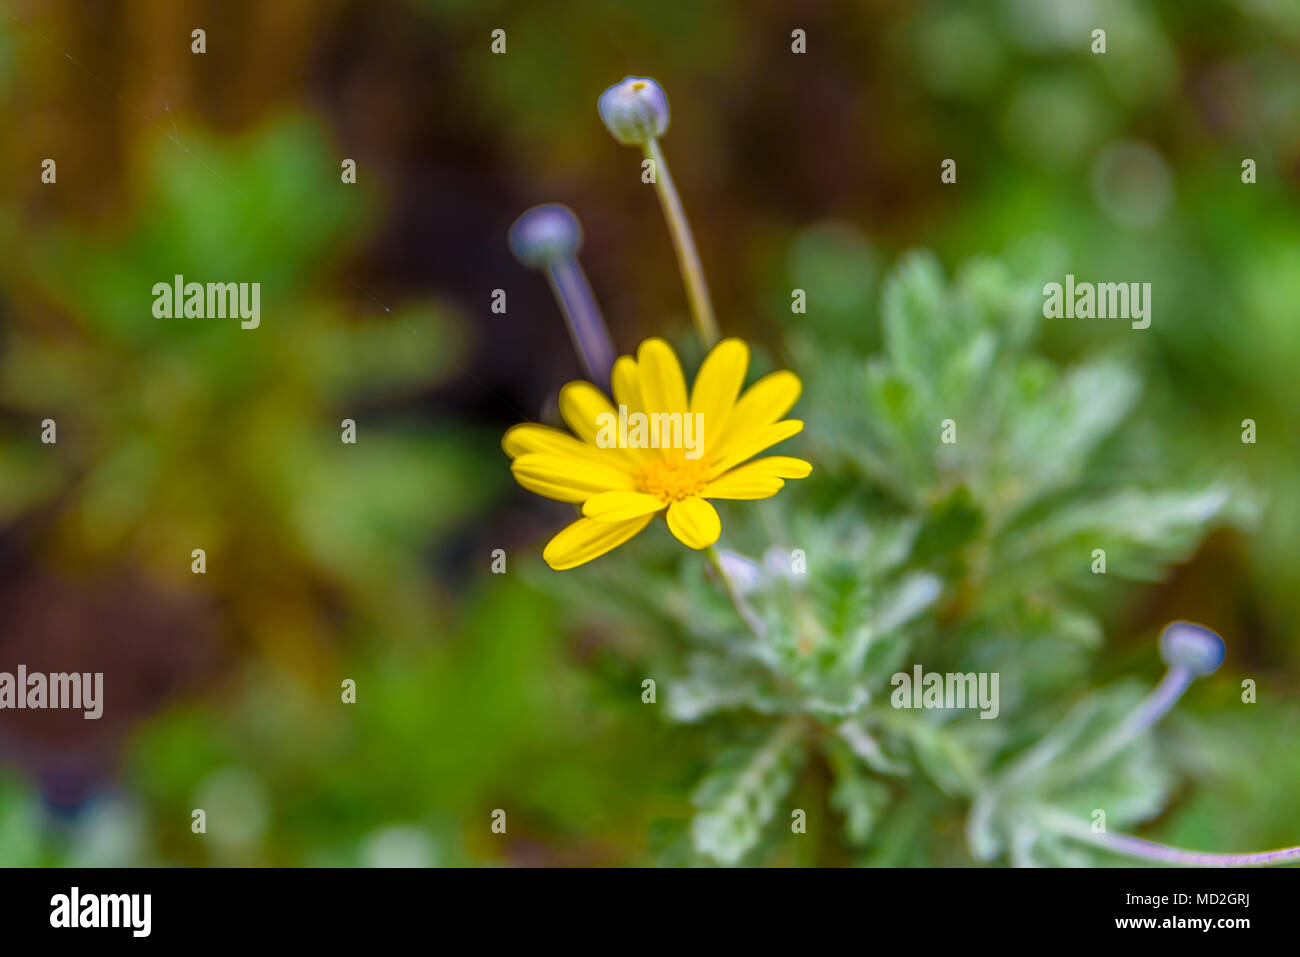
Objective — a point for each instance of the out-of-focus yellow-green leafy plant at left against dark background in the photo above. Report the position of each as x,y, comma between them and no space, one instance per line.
207,435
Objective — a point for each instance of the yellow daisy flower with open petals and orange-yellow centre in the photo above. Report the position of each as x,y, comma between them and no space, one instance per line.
623,488
